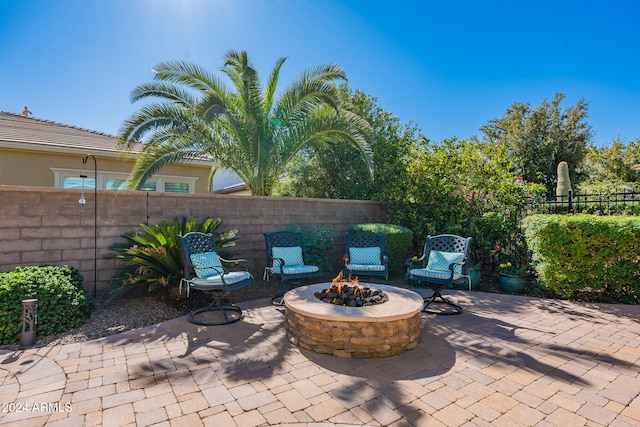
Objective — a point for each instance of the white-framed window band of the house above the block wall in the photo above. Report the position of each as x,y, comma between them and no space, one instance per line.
70,178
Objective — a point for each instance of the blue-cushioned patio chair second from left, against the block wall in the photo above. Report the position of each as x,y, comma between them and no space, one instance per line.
286,260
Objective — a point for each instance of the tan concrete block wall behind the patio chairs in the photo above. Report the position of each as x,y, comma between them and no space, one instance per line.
48,226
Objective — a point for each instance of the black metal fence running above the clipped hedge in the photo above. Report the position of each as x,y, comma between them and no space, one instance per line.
623,203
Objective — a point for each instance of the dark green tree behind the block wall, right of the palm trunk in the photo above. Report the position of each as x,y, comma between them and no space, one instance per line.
334,174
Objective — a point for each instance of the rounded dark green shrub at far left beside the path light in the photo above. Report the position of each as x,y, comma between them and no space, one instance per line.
62,302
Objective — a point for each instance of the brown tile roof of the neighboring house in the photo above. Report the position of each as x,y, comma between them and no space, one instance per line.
30,130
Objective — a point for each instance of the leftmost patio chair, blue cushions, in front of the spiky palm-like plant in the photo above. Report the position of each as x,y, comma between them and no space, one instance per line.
212,276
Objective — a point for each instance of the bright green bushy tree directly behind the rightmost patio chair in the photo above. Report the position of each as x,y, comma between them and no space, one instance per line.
463,187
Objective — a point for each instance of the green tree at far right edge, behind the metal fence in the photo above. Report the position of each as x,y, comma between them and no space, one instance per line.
608,168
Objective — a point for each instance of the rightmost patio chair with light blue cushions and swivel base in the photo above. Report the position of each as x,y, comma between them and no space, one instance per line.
443,264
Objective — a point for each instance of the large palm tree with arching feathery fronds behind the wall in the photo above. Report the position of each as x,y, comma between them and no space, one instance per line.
248,129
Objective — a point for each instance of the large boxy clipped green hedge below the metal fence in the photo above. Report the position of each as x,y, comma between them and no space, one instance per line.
578,256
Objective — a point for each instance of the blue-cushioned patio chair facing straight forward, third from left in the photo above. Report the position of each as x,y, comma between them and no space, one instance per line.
365,255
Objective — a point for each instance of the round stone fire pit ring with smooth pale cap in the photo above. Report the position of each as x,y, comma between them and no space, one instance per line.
354,332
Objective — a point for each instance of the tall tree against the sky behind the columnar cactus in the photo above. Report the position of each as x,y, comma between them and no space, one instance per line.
538,139
